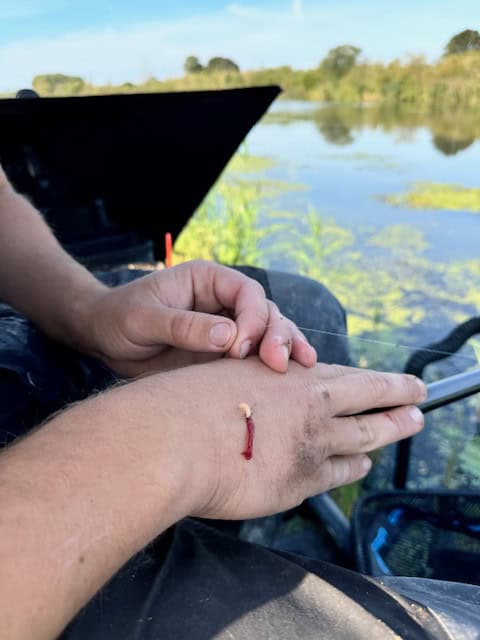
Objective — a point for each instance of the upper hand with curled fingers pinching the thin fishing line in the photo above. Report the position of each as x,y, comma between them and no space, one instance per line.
185,314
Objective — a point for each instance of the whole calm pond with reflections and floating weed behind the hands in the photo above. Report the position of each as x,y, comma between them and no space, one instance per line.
338,204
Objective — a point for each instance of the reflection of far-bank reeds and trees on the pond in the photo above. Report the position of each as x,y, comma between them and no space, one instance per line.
452,131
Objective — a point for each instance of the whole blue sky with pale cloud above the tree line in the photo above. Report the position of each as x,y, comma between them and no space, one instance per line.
114,41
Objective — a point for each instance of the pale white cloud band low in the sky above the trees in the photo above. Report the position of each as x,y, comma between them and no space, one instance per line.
252,37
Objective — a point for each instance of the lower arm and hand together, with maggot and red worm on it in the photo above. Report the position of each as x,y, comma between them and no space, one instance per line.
93,486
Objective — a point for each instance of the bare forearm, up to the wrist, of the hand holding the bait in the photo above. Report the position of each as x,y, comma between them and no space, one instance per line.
81,496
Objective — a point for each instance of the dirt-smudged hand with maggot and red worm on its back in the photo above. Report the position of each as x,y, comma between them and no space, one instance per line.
311,434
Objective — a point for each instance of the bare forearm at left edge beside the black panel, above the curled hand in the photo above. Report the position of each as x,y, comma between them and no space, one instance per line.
36,275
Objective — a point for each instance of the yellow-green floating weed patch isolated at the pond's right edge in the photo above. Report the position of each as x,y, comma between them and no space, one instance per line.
431,195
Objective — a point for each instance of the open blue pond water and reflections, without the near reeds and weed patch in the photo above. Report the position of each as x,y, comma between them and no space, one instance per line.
348,159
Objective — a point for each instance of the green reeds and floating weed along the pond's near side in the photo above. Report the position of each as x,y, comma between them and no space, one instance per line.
396,299
